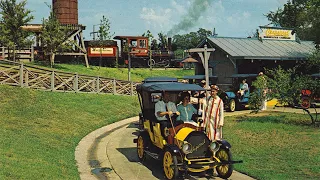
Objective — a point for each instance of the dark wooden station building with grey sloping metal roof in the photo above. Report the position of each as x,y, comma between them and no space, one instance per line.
251,55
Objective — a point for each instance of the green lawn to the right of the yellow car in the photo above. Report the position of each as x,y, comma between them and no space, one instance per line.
275,145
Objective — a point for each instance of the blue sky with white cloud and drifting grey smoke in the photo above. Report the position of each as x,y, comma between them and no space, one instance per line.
230,18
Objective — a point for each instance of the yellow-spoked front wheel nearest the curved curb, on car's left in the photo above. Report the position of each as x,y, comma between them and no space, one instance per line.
170,167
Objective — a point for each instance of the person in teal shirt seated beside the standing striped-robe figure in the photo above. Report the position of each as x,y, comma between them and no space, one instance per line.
186,110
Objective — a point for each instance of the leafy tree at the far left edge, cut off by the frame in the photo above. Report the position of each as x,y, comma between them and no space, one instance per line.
13,16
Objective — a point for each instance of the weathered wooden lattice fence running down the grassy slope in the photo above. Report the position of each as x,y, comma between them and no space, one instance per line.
19,74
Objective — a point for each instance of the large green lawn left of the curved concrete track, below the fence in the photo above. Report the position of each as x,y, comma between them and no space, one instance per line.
40,130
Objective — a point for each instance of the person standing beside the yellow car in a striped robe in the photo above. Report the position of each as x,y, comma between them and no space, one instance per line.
213,115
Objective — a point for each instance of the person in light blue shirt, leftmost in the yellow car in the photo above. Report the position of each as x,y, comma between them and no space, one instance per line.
164,111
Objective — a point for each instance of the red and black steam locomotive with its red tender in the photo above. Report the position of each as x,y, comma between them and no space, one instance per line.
107,53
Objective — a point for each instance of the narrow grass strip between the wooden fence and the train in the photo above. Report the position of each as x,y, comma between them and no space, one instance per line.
137,74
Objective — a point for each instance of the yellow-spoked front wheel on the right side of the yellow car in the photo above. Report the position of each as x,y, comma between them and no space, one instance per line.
224,171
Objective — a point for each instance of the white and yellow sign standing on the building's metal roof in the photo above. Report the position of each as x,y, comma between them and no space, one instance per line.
277,33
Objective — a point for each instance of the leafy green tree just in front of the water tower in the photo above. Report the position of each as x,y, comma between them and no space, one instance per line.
54,37
